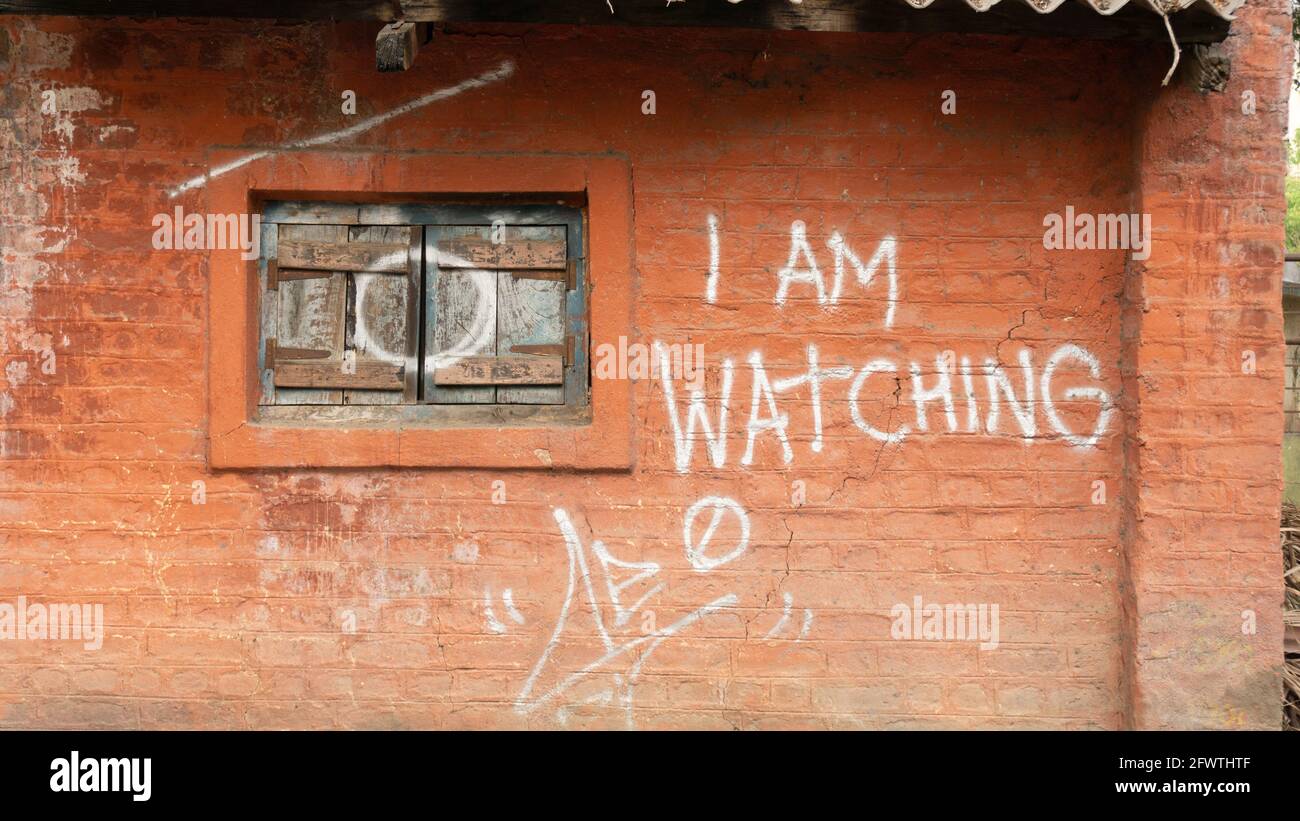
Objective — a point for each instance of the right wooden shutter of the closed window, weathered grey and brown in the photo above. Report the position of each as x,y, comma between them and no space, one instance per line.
496,315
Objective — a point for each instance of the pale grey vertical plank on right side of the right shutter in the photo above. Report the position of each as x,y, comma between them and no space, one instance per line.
530,312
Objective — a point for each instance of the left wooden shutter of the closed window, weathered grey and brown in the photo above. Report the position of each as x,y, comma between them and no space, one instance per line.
341,315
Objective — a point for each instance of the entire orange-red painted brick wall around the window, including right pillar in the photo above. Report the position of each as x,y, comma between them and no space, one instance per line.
376,598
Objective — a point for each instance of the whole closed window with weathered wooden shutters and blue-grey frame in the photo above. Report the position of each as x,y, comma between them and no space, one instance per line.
456,314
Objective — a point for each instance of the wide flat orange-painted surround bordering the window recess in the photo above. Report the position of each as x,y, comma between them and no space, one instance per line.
241,181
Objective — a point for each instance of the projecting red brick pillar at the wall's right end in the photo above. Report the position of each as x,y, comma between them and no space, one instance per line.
1202,503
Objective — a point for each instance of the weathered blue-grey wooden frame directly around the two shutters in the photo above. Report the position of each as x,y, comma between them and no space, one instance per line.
513,211
